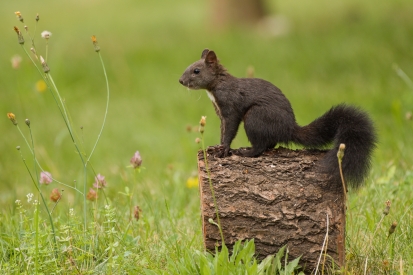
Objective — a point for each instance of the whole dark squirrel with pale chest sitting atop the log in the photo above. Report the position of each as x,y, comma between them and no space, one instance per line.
269,119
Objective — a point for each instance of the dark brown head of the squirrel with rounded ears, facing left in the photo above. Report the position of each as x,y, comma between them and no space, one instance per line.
202,73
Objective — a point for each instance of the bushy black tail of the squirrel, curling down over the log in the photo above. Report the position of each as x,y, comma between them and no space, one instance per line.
342,124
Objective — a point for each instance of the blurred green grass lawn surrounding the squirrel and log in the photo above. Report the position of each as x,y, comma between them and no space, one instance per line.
336,51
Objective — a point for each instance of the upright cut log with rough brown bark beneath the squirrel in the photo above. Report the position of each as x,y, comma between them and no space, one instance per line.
276,199
